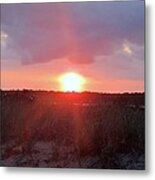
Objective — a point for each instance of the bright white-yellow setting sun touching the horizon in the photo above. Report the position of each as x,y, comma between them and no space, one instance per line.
72,81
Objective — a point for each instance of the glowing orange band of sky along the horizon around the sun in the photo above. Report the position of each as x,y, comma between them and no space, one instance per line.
40,76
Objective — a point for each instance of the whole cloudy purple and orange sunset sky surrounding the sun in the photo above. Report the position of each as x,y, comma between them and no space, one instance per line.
102,41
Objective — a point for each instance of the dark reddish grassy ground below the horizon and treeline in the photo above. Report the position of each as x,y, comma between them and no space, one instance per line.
87,130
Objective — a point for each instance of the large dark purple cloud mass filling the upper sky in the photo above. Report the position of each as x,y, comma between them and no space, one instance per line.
79,31
